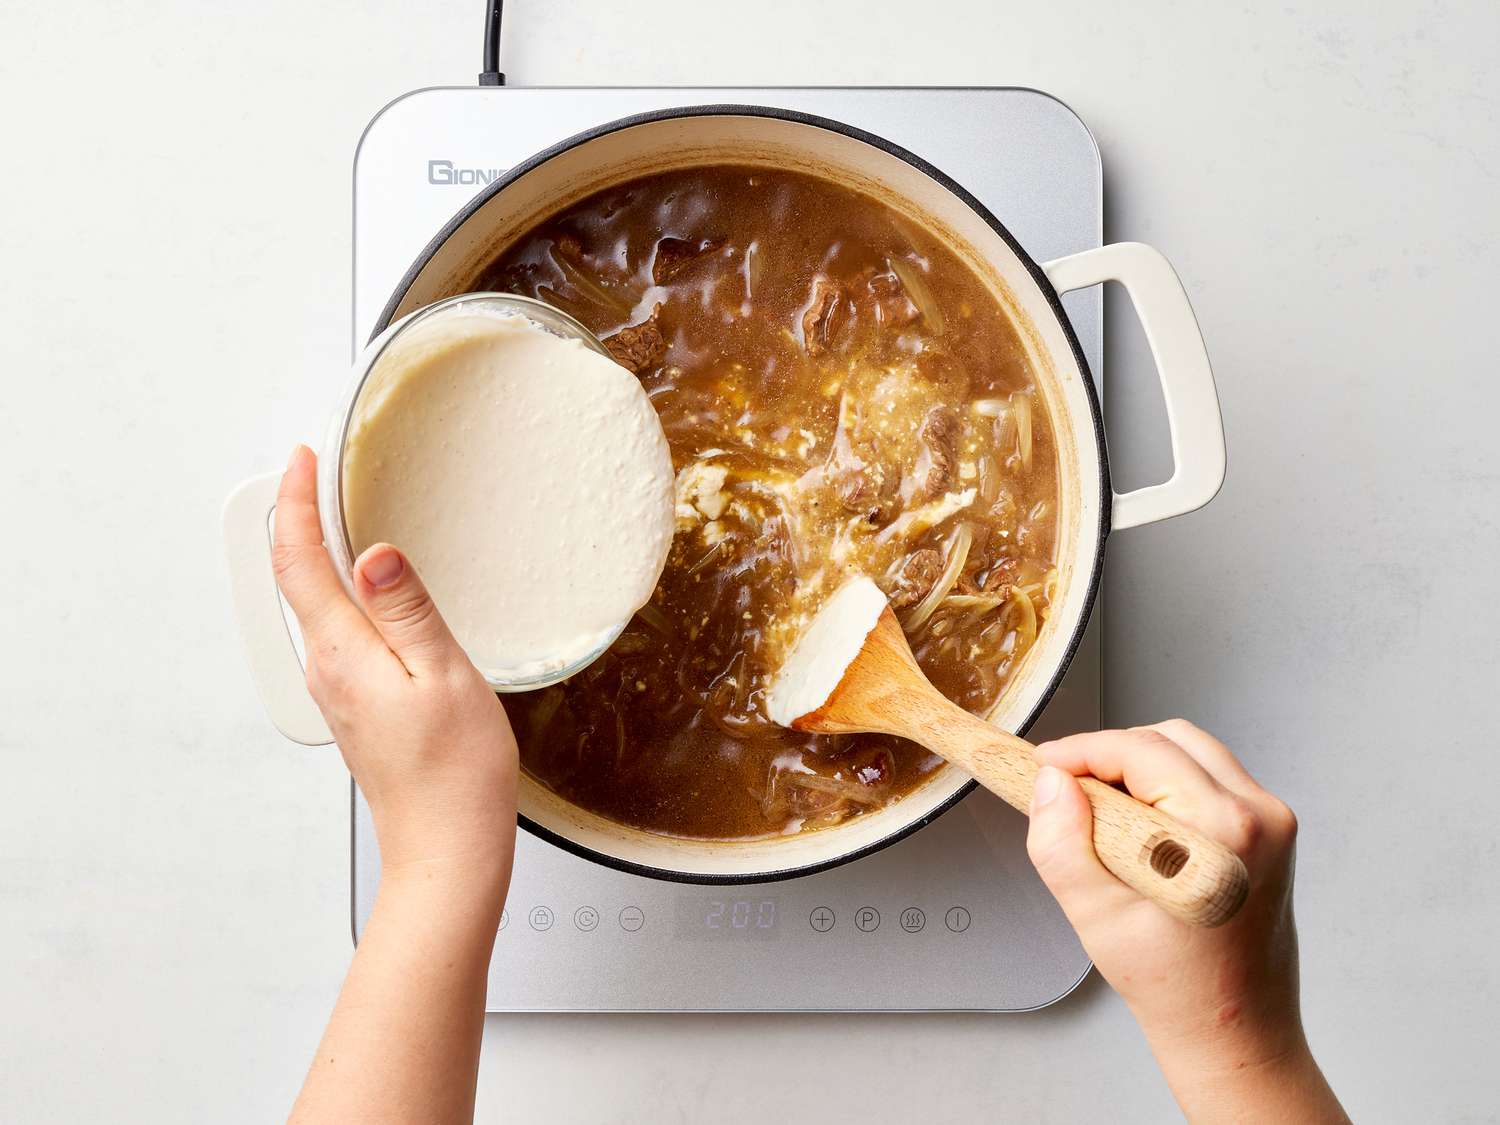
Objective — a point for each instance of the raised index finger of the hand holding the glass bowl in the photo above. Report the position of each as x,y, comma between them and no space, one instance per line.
304,569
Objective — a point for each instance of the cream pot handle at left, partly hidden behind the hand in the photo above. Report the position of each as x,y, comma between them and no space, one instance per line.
257,605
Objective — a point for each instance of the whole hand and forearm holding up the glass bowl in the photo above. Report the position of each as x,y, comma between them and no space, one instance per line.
433,752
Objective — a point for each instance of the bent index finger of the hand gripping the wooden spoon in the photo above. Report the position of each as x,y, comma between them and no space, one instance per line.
1153,767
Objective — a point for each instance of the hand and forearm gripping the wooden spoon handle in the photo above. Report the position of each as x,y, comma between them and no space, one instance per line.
1219,1007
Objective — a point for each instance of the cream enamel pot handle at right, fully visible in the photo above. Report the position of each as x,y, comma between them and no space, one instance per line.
1183,365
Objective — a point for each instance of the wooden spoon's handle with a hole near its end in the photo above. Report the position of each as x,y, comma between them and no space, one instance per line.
1189,875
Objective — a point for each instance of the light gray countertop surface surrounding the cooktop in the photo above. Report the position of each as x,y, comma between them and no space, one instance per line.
173,877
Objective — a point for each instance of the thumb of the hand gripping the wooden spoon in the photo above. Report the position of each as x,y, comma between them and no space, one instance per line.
1061,845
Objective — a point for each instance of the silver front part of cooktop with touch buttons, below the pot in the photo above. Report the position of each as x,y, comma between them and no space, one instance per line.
959,901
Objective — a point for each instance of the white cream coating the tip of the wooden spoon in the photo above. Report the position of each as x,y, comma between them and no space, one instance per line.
826,650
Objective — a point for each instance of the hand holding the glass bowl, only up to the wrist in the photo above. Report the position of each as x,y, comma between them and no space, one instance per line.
422,733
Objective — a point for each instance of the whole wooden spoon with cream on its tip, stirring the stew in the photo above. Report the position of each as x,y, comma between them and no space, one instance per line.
853,671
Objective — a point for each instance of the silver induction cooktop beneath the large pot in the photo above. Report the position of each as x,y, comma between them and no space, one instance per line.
950,919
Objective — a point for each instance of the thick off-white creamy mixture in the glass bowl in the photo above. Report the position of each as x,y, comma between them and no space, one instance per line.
526,476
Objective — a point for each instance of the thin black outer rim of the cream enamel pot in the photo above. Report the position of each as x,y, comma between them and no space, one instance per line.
1043,286
